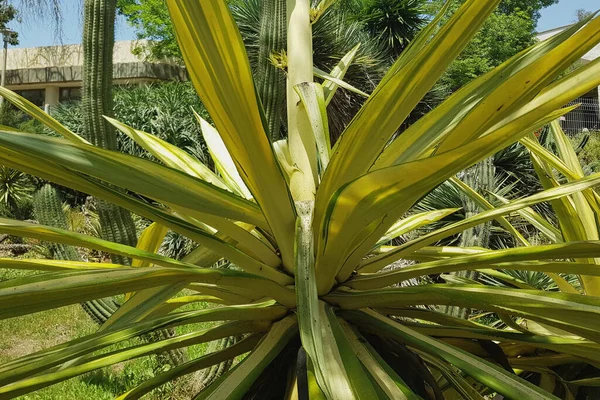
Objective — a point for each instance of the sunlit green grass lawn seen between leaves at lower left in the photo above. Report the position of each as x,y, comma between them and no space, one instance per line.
30,333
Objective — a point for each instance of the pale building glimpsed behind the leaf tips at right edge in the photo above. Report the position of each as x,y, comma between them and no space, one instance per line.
587,115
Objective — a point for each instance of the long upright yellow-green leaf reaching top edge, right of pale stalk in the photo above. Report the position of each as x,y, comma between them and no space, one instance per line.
392,101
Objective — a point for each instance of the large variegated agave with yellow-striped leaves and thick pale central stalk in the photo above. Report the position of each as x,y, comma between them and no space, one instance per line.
305,224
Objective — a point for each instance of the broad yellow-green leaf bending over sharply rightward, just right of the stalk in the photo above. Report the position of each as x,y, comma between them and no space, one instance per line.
384,195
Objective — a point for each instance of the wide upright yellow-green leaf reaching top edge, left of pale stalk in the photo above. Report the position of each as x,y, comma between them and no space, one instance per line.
219,69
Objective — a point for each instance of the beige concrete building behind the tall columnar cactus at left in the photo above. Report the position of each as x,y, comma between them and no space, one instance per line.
52,74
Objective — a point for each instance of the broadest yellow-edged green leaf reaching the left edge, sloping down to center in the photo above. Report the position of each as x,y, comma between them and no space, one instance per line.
144,177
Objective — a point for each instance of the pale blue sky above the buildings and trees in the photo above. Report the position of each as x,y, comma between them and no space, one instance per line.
40,31
